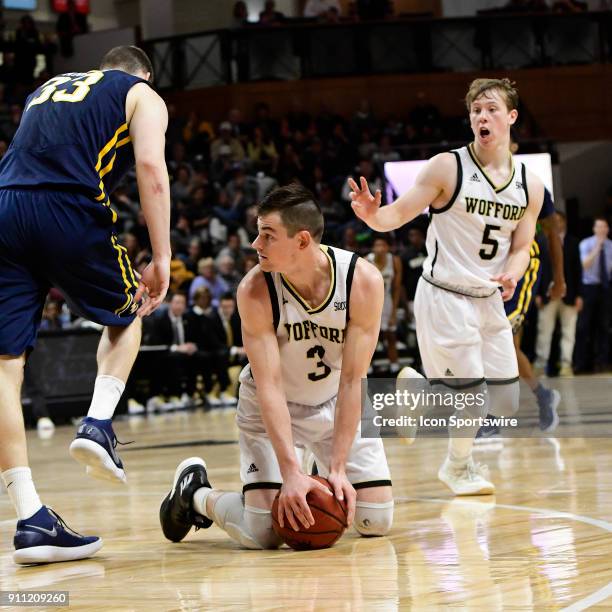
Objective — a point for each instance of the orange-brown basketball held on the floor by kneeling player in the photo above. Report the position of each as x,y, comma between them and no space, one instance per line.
329,514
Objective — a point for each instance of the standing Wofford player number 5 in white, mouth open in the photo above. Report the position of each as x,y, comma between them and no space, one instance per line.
484,212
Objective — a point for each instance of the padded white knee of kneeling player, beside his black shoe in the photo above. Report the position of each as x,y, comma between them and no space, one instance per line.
251,527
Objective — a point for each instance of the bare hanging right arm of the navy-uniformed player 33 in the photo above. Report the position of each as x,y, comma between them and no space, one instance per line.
148,119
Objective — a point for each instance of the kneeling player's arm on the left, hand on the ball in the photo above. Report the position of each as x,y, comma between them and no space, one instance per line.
261,345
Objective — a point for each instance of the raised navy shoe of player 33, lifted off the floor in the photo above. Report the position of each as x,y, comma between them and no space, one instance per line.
94,447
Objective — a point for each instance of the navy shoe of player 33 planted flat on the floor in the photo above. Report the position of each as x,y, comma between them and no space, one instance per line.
45,538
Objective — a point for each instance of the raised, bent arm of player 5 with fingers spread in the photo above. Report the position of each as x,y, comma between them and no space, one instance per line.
435,182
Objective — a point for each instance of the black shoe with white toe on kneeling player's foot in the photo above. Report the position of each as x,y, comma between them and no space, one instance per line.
176,513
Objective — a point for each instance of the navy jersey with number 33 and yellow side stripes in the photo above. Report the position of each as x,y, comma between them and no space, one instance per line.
73,136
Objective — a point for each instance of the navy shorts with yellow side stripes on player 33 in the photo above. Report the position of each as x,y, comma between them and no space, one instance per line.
64,240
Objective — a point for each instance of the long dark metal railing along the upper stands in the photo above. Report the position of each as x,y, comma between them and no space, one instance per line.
404,45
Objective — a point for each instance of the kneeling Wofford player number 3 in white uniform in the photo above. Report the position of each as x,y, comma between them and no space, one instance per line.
311,318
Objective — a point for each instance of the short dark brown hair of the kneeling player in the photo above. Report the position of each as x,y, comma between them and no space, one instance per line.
297,208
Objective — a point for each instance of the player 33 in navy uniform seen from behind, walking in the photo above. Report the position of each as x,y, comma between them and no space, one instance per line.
79,134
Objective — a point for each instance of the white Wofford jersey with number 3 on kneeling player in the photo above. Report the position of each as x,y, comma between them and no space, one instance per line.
311,340
